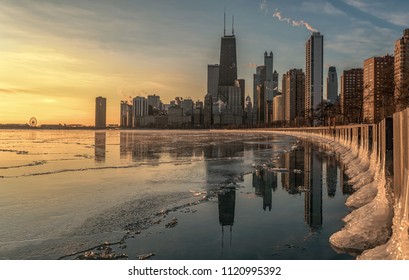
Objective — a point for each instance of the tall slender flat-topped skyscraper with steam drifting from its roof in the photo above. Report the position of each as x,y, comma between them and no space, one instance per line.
314,59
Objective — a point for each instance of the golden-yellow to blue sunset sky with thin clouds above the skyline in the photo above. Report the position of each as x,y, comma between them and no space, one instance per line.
56,57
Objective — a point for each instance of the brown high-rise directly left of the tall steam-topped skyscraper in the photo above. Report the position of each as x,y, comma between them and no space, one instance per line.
293,87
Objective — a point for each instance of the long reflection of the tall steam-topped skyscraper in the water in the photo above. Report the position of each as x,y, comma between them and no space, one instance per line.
313,186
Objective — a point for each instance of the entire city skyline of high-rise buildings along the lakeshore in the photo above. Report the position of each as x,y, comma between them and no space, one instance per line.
367,94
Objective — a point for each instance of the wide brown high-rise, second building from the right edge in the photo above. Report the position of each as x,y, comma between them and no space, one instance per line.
378,97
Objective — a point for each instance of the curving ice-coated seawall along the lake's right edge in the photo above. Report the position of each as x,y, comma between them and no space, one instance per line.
376,157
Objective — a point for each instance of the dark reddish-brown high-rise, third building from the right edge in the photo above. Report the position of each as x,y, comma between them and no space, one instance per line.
352,88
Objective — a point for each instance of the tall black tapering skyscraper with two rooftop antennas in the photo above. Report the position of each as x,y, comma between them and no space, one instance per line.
228,63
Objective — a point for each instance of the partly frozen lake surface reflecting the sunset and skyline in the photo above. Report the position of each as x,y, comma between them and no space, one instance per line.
266,196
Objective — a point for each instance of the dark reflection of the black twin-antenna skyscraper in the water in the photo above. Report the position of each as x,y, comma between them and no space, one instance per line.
227,203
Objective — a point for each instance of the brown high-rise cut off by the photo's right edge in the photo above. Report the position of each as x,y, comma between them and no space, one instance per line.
401,71
